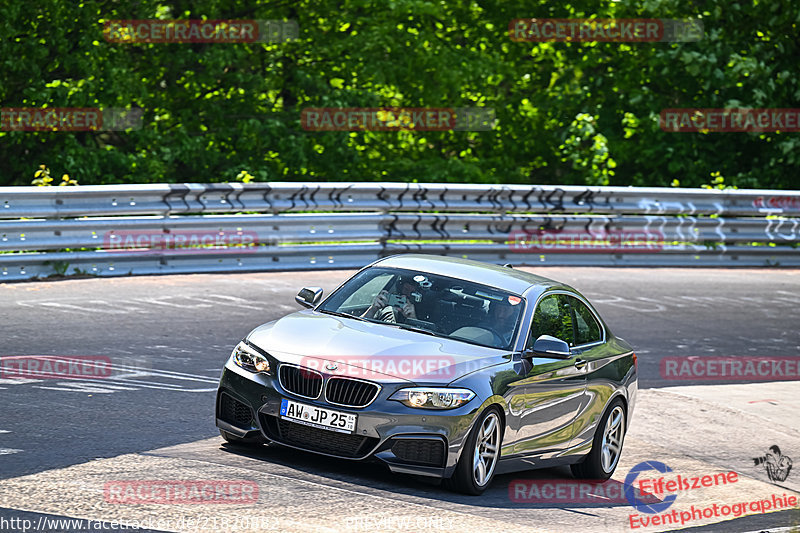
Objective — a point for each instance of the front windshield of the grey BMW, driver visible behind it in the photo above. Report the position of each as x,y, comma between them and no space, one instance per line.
436,305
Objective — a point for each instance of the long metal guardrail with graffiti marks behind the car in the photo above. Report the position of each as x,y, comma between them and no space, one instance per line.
180,228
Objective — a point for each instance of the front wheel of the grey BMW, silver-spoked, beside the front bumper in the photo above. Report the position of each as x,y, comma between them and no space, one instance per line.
476,467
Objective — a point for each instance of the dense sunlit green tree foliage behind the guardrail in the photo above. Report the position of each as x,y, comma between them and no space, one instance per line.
567,113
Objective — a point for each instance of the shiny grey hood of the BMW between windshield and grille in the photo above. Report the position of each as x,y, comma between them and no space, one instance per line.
365,350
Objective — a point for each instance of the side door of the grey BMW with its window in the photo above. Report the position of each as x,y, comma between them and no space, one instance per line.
544,403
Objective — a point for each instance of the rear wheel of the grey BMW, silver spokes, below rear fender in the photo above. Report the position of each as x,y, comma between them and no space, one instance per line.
606,447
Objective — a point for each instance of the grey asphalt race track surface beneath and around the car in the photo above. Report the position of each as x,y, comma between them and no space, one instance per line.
62,441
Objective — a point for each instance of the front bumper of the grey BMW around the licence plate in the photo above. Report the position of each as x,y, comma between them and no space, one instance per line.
408,440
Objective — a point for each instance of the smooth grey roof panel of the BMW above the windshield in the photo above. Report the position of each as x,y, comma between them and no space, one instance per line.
509,279
